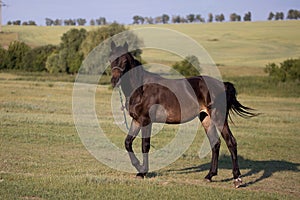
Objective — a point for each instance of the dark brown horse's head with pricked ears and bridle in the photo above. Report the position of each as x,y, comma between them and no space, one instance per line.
120,60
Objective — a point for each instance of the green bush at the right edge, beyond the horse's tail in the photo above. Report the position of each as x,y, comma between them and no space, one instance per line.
289,70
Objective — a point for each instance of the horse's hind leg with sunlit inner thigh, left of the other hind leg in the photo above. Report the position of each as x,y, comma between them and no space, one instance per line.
214,141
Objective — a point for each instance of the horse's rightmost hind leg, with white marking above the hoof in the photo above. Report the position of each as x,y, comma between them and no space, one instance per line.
232,146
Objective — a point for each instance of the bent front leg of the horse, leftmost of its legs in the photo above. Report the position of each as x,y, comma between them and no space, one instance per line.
133,132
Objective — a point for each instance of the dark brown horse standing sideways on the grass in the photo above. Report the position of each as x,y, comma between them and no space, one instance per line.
180,100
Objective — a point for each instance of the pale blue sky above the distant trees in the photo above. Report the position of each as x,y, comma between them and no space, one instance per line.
122,11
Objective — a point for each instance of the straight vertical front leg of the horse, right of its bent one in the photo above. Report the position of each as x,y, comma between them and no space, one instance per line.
146,135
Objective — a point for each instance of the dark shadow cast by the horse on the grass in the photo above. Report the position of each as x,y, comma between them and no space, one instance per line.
268,167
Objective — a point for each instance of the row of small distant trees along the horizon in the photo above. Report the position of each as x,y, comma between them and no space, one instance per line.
292,14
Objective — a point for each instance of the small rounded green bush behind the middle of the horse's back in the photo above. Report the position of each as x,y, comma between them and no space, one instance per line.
188,67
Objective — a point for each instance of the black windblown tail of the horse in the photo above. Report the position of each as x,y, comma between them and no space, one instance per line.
234,105
